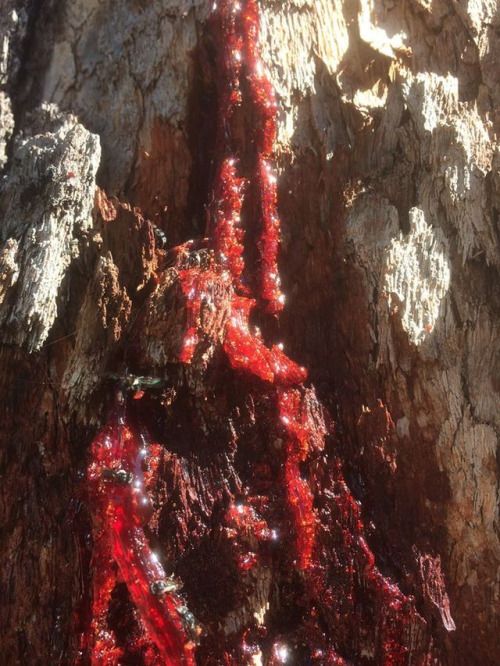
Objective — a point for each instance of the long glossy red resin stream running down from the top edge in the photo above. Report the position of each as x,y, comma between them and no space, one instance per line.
283,379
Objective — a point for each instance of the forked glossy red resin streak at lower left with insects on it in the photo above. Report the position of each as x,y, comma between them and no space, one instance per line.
122,552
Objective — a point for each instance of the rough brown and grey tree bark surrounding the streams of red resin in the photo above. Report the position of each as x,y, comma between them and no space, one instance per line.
389,198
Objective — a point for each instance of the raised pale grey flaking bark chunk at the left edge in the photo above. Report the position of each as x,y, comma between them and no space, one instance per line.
47,200
